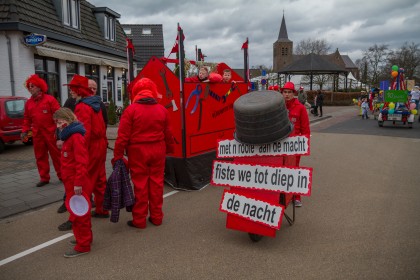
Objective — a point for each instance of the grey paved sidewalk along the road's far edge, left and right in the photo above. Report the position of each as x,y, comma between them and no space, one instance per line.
19,194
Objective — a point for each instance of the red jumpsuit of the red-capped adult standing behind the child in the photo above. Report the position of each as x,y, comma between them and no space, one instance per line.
96,144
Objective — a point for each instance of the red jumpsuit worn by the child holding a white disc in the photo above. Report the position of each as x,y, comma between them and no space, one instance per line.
74,162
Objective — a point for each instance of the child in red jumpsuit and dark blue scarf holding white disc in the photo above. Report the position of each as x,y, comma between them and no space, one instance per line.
74,166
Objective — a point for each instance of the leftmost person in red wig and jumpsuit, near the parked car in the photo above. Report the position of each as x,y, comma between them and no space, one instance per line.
38,116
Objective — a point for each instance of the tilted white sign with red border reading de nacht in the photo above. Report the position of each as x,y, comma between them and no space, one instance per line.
252,209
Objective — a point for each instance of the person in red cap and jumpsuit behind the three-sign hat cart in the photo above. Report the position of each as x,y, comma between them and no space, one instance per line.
299,117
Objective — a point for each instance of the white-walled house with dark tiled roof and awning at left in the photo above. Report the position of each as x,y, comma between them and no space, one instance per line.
80,39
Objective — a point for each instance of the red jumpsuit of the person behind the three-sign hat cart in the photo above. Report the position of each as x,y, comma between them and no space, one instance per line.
299,117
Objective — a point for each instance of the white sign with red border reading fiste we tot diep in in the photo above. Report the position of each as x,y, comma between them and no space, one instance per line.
297,180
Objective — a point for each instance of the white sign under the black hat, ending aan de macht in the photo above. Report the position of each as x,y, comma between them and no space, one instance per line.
296,145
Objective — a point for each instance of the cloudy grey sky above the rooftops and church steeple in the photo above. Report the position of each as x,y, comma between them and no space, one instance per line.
219,27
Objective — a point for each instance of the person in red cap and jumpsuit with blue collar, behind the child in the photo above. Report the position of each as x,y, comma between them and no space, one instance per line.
88,111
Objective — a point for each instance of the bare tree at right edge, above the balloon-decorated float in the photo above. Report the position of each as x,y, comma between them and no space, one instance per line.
406,57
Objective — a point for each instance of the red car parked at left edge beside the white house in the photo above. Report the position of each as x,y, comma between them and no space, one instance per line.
11,120
